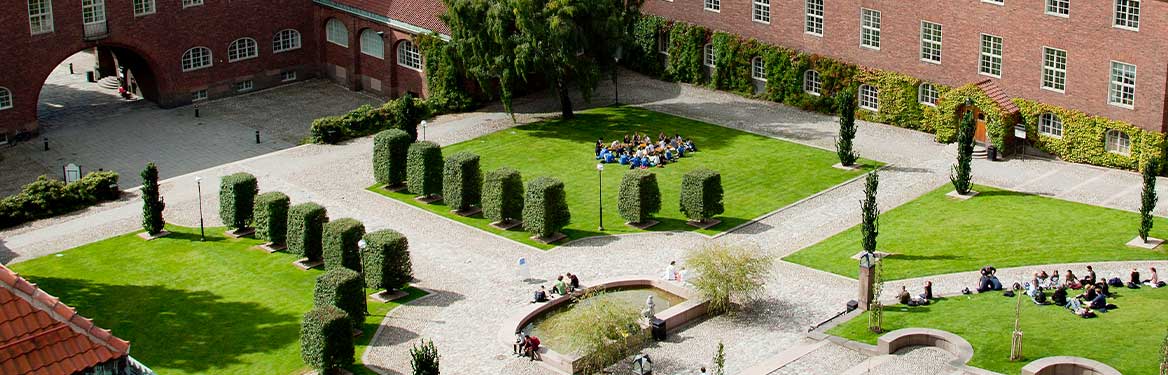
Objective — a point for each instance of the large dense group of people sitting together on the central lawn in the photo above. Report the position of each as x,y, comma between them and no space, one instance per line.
641,151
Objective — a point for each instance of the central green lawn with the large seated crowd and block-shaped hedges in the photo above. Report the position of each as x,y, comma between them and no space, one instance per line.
760,175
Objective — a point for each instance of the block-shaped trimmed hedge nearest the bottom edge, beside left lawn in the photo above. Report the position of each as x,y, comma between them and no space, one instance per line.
326,339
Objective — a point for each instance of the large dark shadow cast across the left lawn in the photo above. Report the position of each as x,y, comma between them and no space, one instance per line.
176,329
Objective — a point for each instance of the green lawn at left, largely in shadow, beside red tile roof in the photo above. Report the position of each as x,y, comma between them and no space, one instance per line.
194,308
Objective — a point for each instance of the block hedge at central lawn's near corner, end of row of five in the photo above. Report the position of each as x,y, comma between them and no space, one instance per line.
546,210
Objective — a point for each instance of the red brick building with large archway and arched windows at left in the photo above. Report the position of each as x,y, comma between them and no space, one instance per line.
179,52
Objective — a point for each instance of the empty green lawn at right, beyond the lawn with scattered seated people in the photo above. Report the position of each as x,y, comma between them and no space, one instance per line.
935,235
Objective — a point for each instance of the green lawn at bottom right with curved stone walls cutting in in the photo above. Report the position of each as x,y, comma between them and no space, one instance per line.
1128,338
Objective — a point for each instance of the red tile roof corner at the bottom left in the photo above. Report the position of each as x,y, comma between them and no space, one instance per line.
41,336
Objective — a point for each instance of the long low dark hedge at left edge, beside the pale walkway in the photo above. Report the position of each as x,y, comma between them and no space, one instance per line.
47,198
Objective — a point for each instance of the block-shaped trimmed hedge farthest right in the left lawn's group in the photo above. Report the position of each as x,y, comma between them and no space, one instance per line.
386,261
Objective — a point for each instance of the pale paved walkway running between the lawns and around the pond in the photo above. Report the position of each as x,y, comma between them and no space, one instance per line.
471,273
